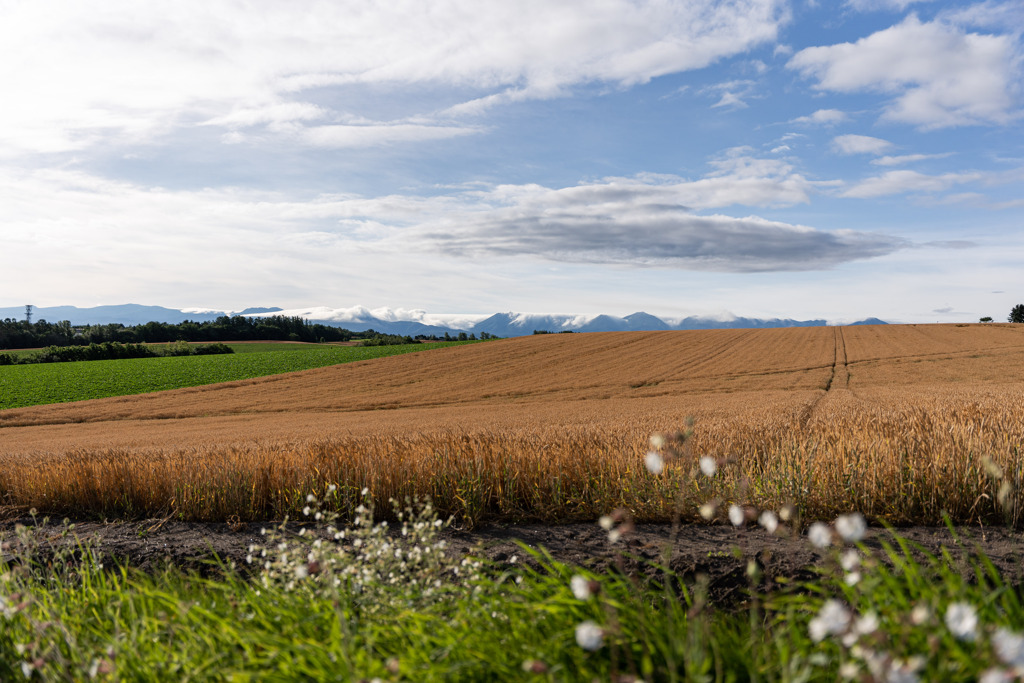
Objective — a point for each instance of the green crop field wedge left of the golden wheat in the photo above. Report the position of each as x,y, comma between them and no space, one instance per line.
64,382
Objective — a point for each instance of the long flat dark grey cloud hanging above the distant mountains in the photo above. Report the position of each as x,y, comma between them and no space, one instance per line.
663,238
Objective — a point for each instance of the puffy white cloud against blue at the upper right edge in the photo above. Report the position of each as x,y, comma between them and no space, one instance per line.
936,75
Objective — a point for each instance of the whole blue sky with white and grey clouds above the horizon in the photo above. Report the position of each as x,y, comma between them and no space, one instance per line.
836,159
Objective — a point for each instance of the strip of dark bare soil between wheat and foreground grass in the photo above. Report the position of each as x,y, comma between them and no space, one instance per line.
717,554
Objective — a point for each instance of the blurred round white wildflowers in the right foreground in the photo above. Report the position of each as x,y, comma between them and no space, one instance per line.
873,643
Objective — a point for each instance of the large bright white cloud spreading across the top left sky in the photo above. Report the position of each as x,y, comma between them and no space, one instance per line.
74,75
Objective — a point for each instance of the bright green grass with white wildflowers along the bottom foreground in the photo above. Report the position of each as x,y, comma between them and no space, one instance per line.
361,603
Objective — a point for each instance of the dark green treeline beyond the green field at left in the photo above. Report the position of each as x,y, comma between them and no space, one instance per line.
21,334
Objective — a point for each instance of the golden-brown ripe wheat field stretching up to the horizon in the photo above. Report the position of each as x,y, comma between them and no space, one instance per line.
905,423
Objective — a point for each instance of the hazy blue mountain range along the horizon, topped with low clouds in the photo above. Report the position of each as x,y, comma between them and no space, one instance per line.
361,320
